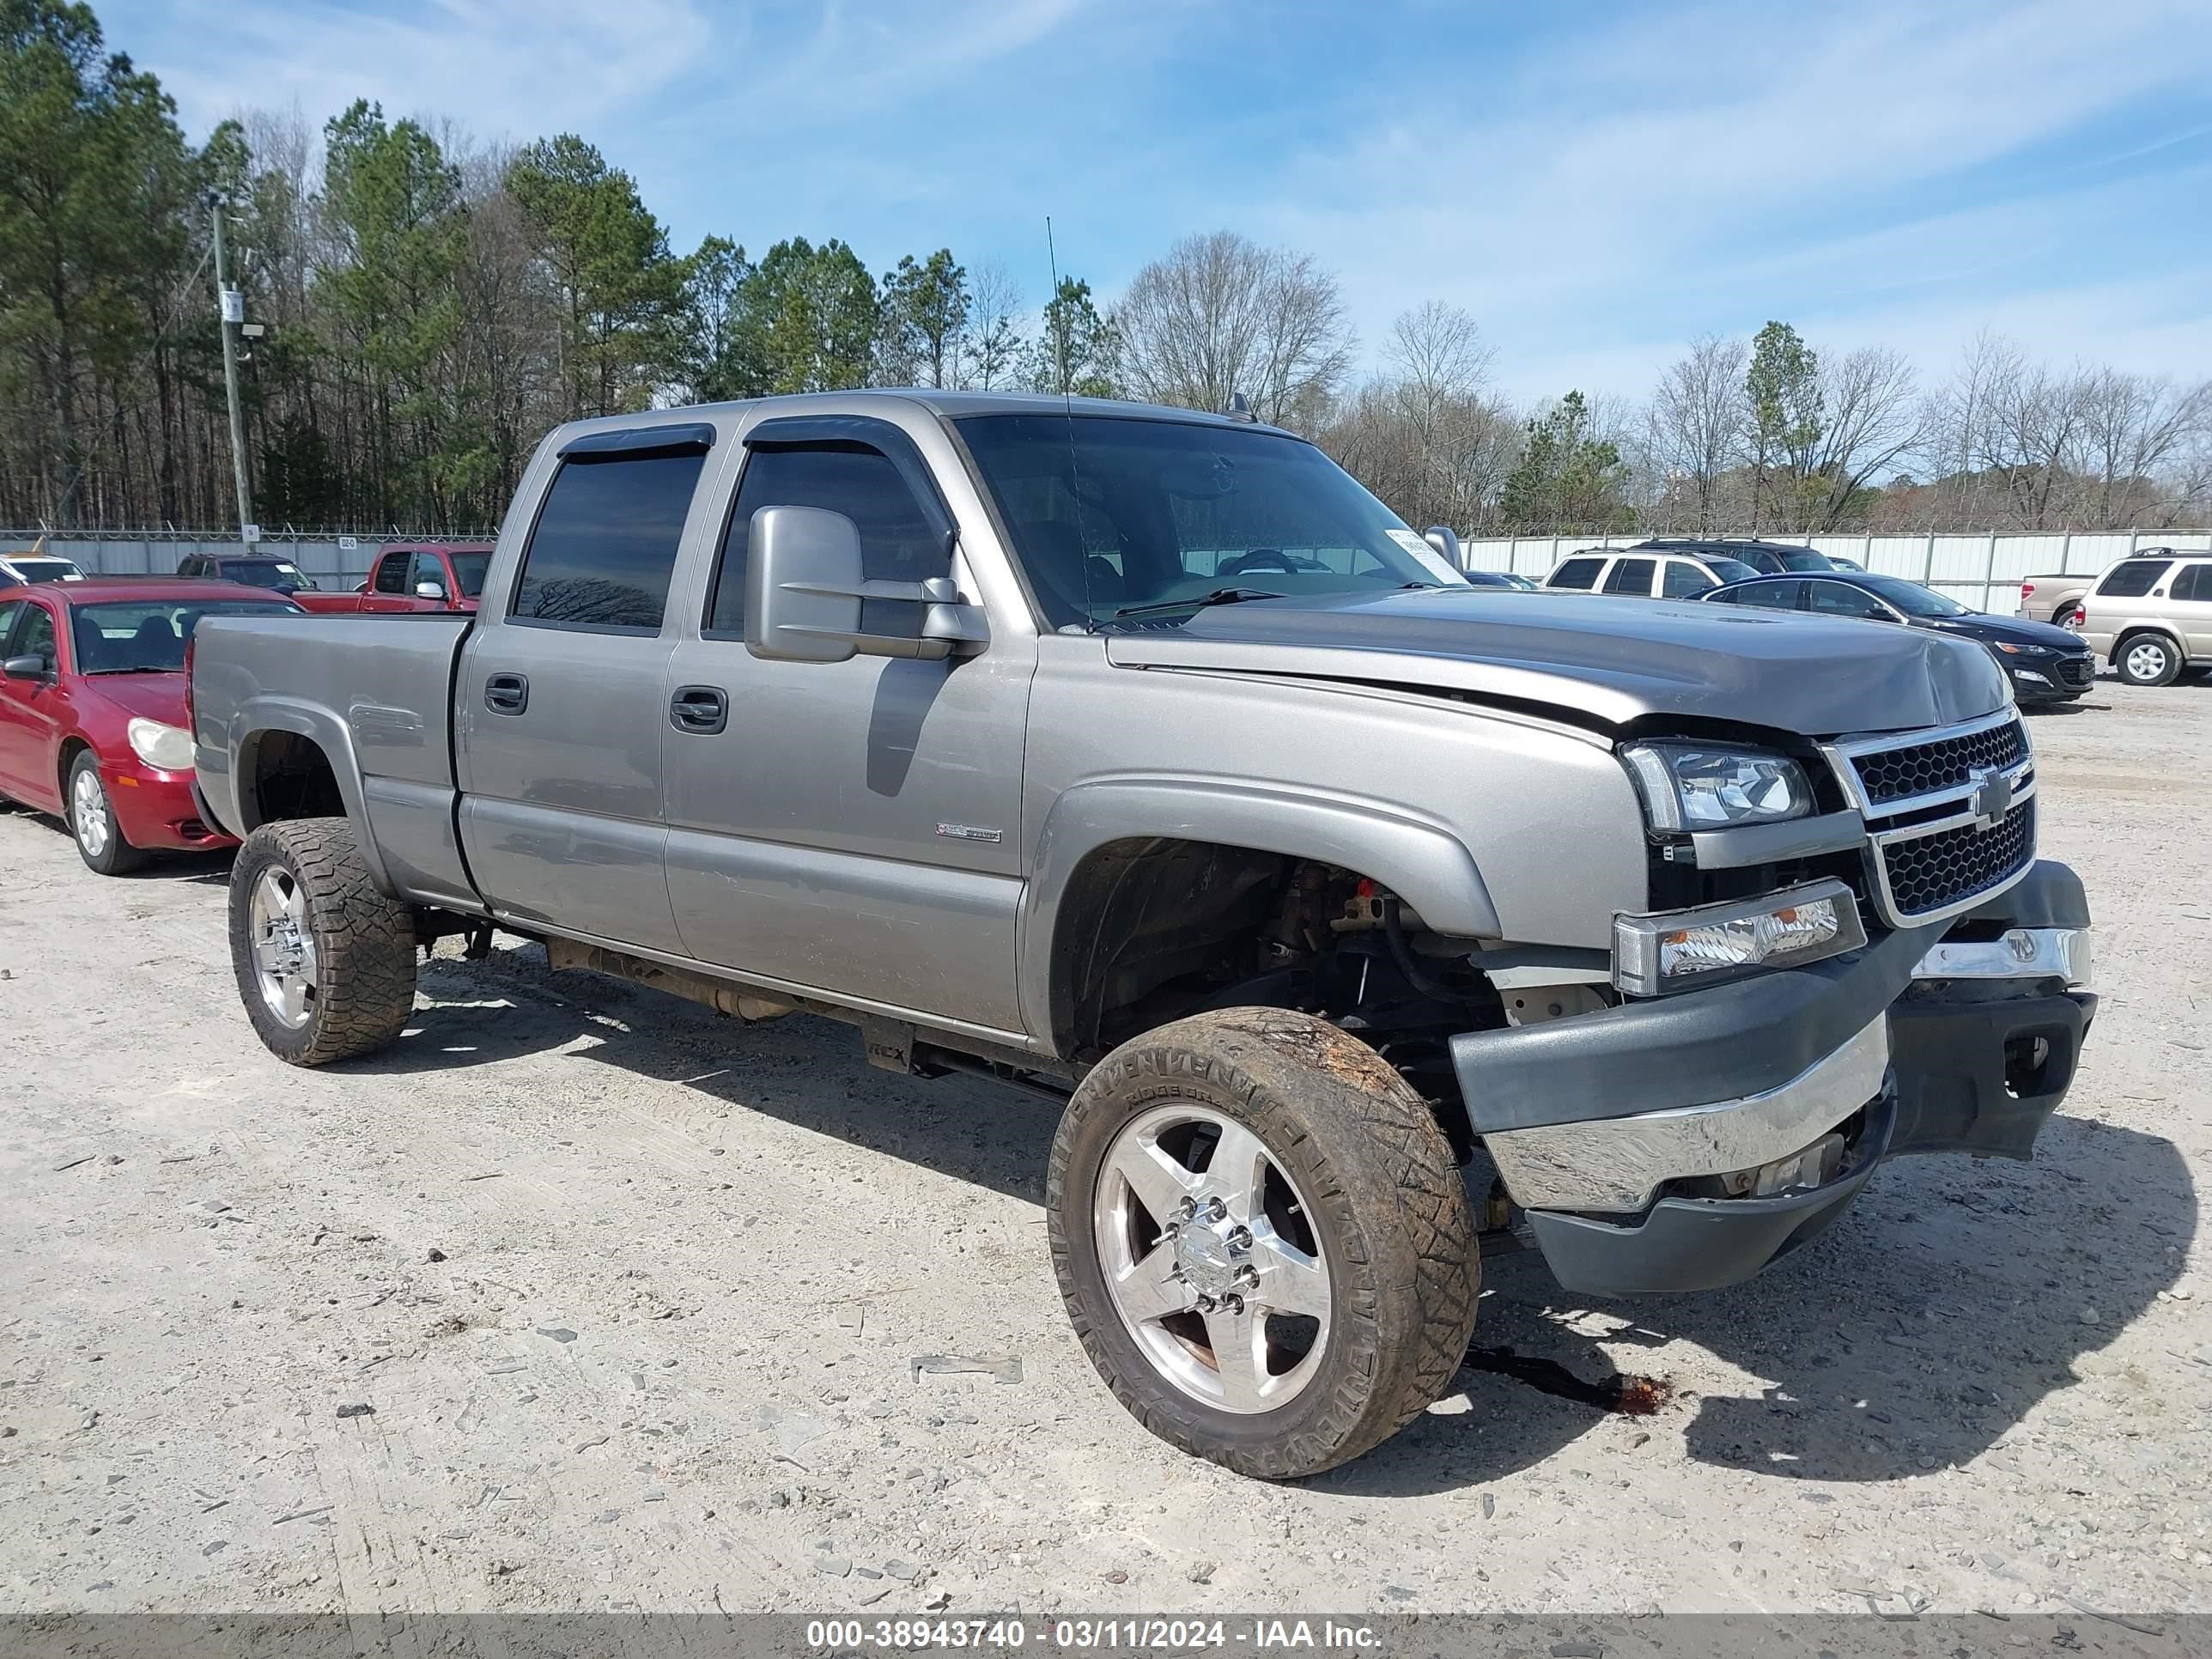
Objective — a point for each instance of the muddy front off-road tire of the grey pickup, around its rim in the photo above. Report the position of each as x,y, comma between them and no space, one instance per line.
1381,1193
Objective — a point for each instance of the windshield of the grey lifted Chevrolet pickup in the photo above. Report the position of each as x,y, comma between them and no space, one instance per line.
1116,514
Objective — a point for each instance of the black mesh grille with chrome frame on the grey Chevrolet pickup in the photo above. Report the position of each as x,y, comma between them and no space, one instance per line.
1950,815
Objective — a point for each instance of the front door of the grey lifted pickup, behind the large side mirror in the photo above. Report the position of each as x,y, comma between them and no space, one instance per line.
851,826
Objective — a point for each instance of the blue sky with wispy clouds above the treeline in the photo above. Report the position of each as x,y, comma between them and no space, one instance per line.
1594,182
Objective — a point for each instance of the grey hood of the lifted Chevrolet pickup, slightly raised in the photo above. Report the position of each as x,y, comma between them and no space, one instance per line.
1614,660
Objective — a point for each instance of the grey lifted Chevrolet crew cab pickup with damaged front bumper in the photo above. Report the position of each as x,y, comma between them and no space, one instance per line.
1357,917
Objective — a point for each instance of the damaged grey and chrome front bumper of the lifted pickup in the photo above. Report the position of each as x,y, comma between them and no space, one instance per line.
1930,1041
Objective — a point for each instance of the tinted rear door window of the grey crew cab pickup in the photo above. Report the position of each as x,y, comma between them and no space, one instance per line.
605,543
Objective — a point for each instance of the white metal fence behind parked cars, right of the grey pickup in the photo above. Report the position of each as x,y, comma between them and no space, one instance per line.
1979,572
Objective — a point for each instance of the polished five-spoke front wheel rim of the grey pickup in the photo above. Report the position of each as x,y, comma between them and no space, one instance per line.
1211,1260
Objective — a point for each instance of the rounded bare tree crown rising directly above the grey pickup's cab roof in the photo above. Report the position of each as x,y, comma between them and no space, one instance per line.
1222,317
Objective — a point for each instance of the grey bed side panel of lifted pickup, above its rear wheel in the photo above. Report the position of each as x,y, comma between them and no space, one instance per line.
377,693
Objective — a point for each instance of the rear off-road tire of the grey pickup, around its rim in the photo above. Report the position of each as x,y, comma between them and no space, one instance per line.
364,943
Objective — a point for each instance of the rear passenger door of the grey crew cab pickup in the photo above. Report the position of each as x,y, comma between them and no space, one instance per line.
561,709
